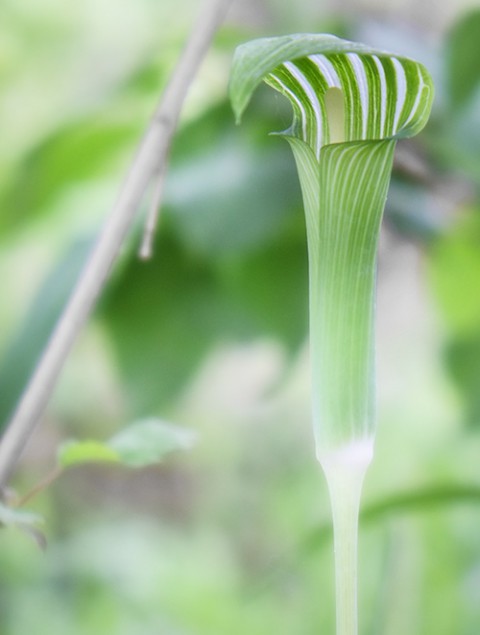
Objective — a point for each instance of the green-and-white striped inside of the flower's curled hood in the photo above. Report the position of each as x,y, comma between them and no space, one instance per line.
384,96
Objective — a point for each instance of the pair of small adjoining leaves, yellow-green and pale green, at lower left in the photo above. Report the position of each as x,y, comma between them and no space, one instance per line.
141,444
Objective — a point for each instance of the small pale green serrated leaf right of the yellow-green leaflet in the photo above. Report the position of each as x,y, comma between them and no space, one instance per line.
148,442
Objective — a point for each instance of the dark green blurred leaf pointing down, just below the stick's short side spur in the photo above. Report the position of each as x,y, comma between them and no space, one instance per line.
162,317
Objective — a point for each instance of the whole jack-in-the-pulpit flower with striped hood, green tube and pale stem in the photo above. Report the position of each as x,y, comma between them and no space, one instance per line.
350,106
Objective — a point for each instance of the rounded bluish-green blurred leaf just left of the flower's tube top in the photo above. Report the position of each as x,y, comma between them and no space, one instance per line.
232,197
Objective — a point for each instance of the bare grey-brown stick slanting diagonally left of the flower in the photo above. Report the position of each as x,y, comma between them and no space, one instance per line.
150,159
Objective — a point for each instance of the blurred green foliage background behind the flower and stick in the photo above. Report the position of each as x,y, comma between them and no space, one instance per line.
211,334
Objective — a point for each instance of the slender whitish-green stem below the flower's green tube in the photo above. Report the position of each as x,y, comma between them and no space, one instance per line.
345,470
